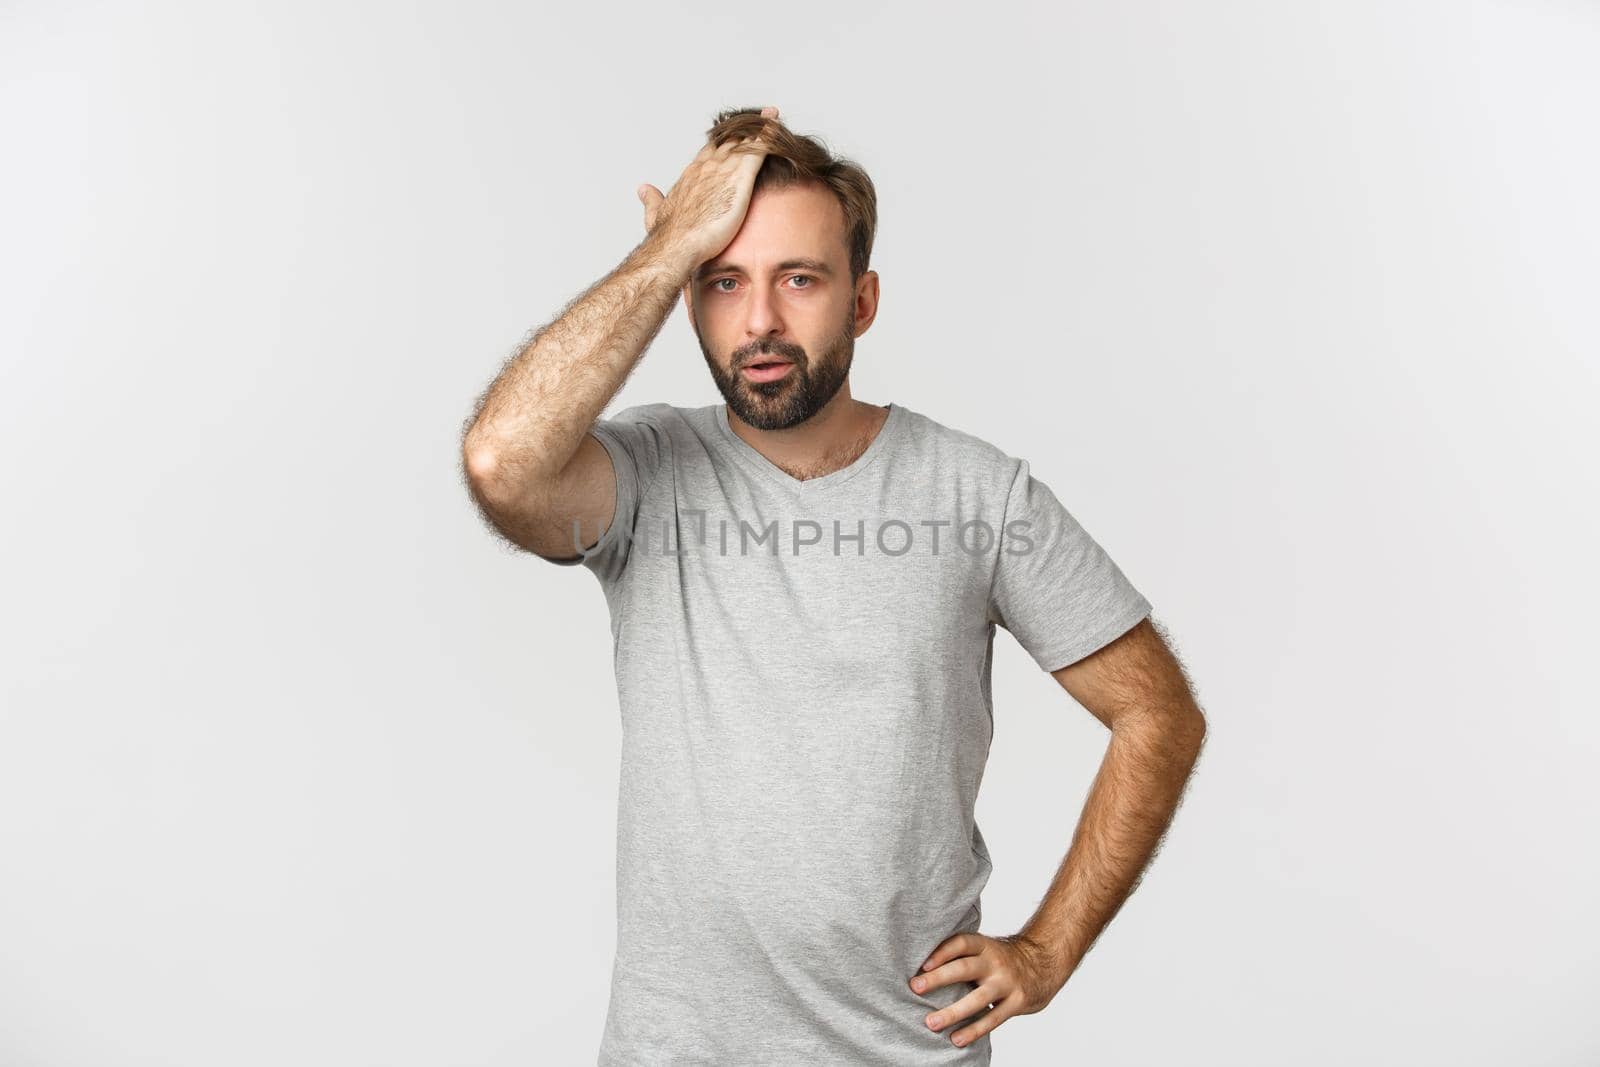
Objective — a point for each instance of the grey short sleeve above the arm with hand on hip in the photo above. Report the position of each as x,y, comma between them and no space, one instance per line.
1055,588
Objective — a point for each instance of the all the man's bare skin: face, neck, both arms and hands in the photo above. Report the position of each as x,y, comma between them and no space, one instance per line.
538,476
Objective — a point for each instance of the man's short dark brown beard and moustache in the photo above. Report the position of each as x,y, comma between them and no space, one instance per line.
794,398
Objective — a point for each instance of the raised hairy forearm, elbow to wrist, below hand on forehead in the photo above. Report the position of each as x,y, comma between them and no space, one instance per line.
534,417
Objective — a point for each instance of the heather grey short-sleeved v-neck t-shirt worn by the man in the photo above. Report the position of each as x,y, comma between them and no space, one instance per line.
804,674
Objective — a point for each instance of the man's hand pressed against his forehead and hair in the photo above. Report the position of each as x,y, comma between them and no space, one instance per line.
706,207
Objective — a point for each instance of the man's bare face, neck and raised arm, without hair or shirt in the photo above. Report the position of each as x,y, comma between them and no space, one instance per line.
532,466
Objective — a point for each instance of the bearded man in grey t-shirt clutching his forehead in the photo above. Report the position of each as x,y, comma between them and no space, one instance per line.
804,591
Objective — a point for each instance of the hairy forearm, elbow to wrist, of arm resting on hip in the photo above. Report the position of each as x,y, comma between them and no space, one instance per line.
1129,809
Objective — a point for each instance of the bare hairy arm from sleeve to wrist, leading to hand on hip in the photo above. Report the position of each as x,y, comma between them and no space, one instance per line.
1138,689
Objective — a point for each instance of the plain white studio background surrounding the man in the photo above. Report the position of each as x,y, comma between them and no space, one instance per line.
1294,305
